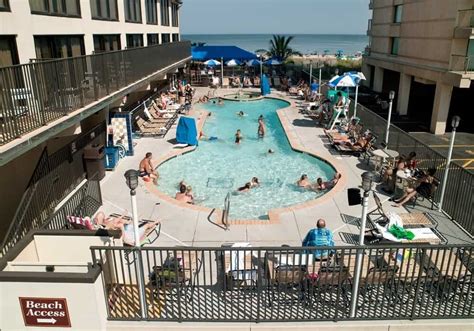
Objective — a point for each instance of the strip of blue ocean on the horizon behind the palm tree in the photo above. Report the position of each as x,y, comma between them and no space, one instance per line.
304,43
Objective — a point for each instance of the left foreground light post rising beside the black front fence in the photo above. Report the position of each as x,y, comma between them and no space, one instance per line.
131,177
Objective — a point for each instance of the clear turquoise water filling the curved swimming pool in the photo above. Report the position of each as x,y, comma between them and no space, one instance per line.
220,166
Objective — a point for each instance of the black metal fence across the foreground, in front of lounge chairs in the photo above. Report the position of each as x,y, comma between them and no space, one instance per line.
271,284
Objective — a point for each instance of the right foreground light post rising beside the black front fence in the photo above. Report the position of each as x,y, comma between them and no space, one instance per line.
367,180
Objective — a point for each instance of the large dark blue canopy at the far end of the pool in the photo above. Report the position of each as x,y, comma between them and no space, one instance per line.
225,53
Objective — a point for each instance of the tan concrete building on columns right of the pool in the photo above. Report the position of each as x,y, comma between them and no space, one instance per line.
424,51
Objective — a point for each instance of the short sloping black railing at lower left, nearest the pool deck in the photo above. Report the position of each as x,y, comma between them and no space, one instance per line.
84,202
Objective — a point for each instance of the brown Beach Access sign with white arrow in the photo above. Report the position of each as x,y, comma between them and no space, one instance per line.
50,312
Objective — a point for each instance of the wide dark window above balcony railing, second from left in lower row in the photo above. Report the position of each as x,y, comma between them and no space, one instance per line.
52,47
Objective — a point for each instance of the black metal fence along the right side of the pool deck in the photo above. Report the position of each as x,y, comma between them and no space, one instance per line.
459,196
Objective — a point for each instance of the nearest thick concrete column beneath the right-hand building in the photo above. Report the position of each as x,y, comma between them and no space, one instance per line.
441,105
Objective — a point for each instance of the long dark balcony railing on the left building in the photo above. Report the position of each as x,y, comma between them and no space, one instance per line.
35,94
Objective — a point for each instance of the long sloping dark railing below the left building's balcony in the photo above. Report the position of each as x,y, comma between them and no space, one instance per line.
54,177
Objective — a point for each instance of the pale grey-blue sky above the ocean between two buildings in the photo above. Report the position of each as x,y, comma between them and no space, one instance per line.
274,16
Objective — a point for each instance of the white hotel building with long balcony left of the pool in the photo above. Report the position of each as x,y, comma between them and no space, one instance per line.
64,66
